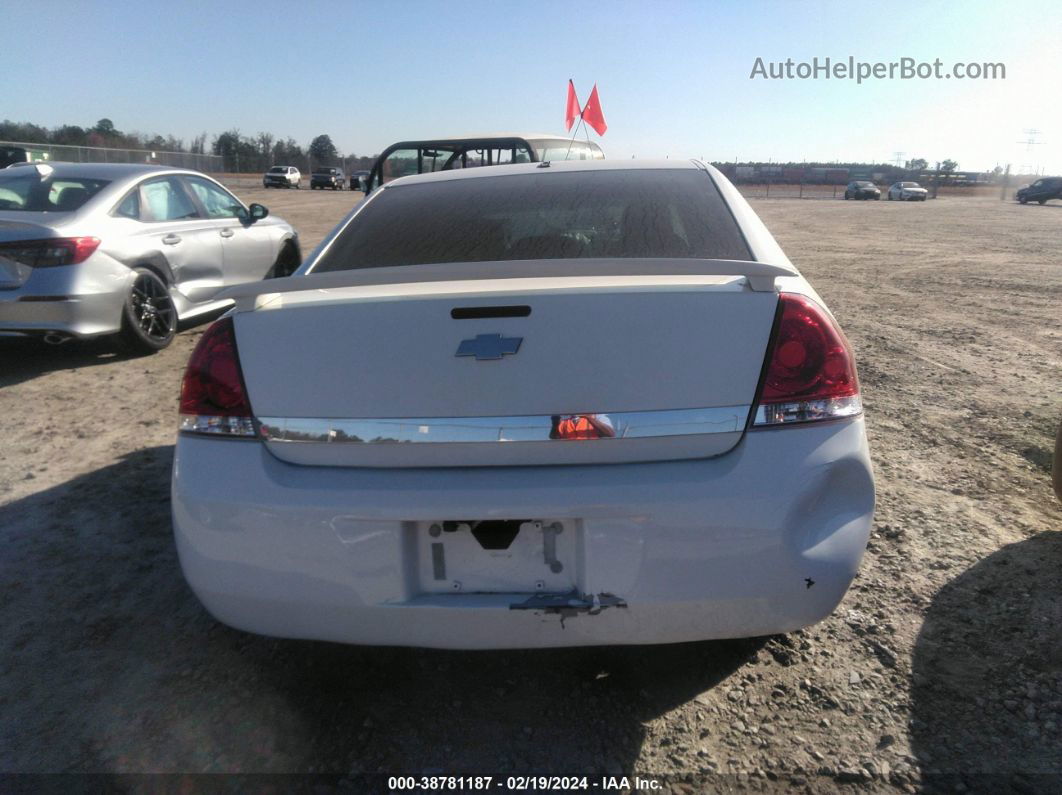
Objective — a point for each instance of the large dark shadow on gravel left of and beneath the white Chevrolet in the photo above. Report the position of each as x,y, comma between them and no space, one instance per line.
111,664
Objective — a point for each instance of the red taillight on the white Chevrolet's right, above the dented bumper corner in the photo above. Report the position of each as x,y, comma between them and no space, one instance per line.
811,371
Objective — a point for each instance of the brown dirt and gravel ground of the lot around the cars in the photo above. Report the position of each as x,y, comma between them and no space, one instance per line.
943,668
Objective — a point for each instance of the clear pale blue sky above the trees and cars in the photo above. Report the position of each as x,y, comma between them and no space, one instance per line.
674,77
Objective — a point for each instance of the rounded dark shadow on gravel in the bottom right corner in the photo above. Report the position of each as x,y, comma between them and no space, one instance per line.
987,695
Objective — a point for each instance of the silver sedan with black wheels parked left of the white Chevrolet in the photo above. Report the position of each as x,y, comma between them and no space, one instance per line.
104,249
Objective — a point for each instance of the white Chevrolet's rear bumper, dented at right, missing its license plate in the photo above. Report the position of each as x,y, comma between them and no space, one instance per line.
765,540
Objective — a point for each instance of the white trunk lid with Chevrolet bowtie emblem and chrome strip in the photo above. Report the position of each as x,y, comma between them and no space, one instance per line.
362,376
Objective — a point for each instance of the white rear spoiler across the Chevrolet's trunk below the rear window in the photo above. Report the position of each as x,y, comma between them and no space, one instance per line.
760,275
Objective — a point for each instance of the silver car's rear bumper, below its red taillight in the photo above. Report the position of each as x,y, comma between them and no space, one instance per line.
84,301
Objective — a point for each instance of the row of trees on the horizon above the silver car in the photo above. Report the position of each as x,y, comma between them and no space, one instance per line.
242,153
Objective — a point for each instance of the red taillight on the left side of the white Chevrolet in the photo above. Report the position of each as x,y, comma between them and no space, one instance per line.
213,396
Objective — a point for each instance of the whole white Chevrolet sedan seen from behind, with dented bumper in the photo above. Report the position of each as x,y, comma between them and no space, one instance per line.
558,404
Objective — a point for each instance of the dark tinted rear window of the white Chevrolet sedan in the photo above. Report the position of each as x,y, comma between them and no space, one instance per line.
654,214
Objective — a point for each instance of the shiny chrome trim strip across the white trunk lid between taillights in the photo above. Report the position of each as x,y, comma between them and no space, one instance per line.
481,430
